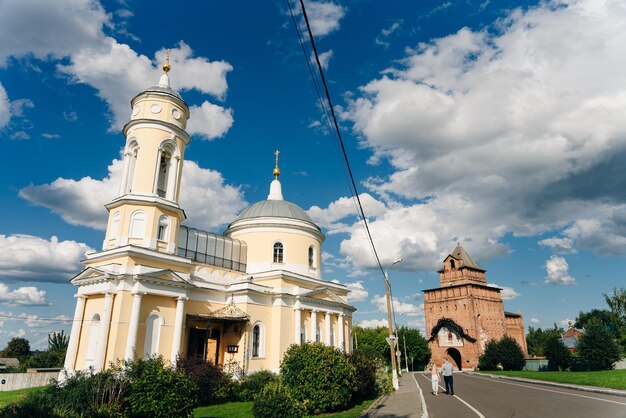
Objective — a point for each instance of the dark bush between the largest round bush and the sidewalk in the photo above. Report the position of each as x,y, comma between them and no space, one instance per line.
371,379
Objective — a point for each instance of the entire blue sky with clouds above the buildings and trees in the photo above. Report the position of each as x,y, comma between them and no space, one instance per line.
498,125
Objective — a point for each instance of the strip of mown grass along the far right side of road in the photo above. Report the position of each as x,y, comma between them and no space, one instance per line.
614,379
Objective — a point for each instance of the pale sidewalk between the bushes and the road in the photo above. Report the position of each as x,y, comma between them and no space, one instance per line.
406,402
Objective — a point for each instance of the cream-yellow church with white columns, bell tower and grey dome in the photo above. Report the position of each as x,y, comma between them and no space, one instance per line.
159,287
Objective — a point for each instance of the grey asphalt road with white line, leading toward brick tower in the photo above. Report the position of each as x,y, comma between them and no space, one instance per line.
482,396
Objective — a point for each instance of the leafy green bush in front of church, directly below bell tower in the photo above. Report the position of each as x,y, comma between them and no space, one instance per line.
159,391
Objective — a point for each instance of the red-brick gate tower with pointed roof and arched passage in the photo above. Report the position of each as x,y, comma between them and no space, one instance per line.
463,314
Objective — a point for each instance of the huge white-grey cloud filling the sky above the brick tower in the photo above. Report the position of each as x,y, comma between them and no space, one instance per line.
512,131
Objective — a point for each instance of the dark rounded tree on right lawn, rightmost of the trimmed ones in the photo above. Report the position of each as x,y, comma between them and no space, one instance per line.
597,347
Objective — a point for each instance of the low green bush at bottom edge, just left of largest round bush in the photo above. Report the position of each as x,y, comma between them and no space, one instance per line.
275,401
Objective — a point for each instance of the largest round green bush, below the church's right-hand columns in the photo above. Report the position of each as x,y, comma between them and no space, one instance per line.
318,376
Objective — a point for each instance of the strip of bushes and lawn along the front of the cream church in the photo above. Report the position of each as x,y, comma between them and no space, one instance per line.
314,379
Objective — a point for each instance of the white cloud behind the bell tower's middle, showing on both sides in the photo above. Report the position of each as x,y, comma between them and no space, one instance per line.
81,202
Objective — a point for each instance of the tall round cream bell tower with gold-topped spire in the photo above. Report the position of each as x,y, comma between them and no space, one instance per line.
146,212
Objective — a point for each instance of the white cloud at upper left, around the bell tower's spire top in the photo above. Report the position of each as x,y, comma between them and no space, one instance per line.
74,29
